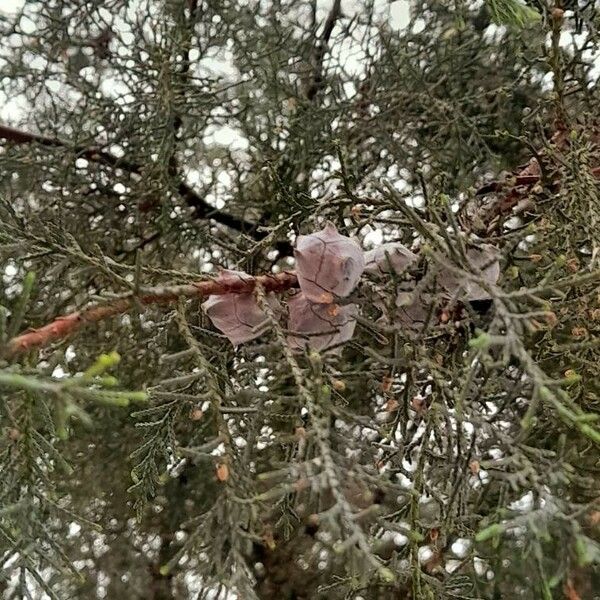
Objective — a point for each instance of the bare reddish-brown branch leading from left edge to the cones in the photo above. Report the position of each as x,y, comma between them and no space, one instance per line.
69,324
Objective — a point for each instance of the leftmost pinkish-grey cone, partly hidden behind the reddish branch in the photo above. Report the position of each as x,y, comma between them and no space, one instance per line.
238,316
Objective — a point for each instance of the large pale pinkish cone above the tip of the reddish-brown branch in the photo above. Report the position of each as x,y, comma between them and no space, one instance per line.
328,264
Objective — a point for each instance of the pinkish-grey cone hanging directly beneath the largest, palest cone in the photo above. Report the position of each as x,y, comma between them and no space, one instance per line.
320,326
